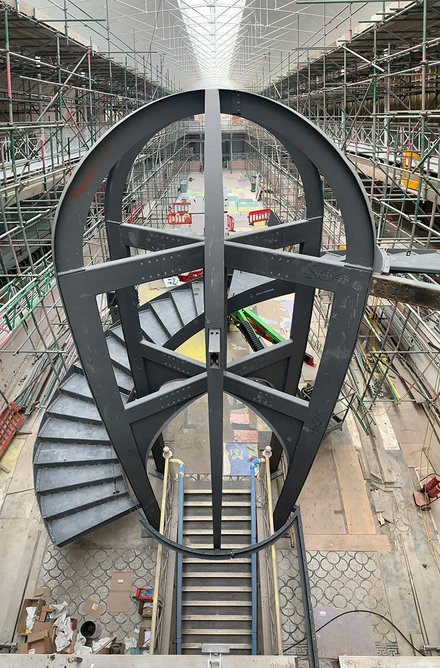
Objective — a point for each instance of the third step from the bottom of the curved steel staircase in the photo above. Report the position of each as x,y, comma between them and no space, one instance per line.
68,477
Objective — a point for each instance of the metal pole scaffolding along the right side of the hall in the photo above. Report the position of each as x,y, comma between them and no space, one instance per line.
376,95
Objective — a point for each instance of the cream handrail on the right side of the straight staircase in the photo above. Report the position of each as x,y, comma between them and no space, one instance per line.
272,573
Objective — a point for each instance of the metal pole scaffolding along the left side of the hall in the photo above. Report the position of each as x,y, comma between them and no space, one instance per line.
59,96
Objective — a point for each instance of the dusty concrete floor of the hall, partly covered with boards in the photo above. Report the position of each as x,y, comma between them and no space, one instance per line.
353,561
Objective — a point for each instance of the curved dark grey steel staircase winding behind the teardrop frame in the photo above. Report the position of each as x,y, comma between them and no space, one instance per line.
79,481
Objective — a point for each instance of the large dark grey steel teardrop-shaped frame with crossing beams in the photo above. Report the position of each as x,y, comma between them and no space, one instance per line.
267,381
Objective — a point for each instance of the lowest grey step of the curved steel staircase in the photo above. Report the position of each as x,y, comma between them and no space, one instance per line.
65,529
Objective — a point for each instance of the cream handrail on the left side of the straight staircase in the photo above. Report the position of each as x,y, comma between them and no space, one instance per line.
162,558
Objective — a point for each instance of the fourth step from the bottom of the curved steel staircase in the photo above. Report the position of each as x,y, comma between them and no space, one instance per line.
54,453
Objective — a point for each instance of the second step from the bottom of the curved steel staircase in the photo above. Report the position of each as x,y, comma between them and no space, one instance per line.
64,503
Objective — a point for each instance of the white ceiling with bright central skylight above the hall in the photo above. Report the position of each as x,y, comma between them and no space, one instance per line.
232,43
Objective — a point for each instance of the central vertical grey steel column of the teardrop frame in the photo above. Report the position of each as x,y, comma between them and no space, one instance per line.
215,299
